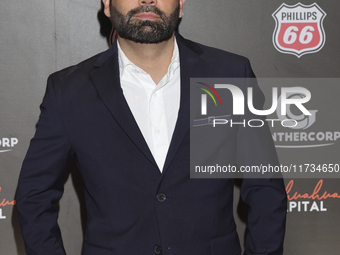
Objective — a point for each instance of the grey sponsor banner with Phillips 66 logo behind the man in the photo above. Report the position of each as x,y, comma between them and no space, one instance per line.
294,42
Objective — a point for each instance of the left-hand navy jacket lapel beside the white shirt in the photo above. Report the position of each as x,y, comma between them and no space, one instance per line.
106,79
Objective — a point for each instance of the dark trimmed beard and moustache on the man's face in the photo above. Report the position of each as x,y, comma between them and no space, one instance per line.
145,31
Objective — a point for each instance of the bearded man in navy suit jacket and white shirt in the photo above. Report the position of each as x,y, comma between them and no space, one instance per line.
123,115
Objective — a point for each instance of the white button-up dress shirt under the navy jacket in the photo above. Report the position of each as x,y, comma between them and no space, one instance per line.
154,106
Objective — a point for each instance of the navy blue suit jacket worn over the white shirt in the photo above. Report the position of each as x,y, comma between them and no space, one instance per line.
84,115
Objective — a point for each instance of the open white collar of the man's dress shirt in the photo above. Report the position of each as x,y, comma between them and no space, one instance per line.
125,62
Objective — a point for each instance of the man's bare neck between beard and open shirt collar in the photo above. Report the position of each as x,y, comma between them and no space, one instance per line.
152,58
